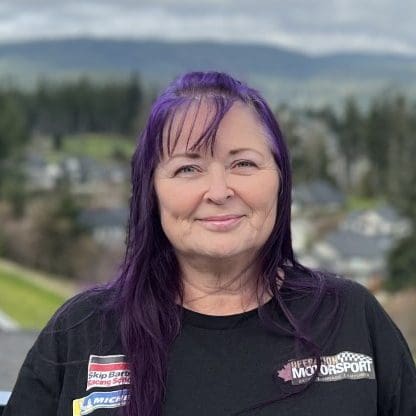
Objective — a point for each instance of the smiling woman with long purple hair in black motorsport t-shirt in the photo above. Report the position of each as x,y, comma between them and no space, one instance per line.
212,314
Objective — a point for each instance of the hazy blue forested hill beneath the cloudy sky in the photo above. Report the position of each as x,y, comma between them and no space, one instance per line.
278,71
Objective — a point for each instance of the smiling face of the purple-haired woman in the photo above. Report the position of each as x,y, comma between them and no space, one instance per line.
219,205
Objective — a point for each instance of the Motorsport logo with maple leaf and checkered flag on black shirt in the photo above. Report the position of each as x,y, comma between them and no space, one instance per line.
345,365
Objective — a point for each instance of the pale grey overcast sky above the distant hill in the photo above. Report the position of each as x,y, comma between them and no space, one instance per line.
312,26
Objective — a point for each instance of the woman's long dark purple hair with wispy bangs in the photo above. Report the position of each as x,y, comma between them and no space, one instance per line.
149,285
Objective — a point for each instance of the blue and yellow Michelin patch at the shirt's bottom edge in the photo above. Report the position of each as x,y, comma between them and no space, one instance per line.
99,400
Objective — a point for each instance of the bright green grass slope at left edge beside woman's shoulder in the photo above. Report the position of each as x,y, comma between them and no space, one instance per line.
27,301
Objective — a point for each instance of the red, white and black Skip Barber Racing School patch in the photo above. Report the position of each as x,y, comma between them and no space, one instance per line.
107,371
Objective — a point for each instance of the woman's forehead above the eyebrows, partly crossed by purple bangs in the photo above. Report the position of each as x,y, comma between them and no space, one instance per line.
197,127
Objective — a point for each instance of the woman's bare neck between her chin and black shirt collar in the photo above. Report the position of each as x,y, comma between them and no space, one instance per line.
221,286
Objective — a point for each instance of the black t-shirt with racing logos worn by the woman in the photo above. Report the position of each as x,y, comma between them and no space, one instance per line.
220,365
